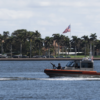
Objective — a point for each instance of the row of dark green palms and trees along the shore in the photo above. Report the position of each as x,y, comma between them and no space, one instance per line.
30,43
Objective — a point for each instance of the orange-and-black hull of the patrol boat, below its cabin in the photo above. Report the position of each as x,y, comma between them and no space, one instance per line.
74,73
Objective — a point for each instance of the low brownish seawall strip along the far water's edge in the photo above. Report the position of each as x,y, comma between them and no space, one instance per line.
41,59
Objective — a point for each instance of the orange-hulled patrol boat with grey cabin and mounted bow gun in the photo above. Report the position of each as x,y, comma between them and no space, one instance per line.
75,68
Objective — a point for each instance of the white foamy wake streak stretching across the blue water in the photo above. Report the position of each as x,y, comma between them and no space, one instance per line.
49,79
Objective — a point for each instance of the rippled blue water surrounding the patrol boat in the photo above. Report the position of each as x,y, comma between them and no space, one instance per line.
25,80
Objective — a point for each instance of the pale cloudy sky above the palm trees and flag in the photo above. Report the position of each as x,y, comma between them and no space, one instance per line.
51,16
